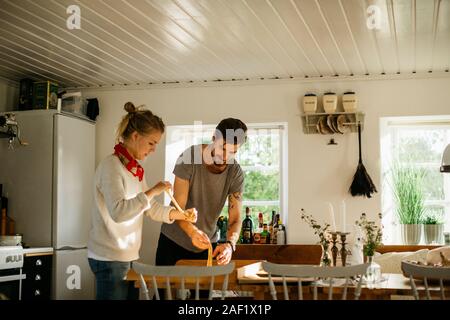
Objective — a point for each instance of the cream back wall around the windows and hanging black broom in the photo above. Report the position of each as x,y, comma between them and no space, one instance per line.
317,172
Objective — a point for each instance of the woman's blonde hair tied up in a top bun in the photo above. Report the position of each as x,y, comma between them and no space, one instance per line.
141,120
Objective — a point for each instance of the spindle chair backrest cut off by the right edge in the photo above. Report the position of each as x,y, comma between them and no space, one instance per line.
415,271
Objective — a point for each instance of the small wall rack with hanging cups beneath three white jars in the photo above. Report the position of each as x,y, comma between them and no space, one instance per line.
332,123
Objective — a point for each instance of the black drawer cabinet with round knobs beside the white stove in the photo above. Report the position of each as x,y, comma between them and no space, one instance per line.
38,270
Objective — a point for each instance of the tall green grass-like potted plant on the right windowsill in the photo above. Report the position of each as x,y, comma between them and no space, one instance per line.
407,185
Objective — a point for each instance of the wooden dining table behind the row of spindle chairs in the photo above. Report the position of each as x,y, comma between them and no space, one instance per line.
245,279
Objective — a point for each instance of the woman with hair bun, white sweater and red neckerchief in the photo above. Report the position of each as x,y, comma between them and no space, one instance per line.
122,198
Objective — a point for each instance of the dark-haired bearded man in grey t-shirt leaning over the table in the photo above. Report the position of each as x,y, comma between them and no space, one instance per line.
205,176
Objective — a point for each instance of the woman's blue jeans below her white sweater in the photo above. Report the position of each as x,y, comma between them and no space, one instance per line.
110,279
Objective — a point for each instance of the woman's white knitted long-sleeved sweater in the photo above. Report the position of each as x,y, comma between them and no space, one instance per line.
117,217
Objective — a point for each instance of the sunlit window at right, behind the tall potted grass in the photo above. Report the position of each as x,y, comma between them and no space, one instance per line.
419,141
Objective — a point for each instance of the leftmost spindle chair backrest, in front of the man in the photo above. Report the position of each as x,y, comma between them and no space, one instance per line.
171,273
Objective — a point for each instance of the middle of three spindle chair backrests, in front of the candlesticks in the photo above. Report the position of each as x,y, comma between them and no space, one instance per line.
304,273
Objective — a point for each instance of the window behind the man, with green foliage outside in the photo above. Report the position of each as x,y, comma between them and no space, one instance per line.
262,158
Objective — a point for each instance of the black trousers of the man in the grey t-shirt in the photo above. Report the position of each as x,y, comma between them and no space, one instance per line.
168,252
